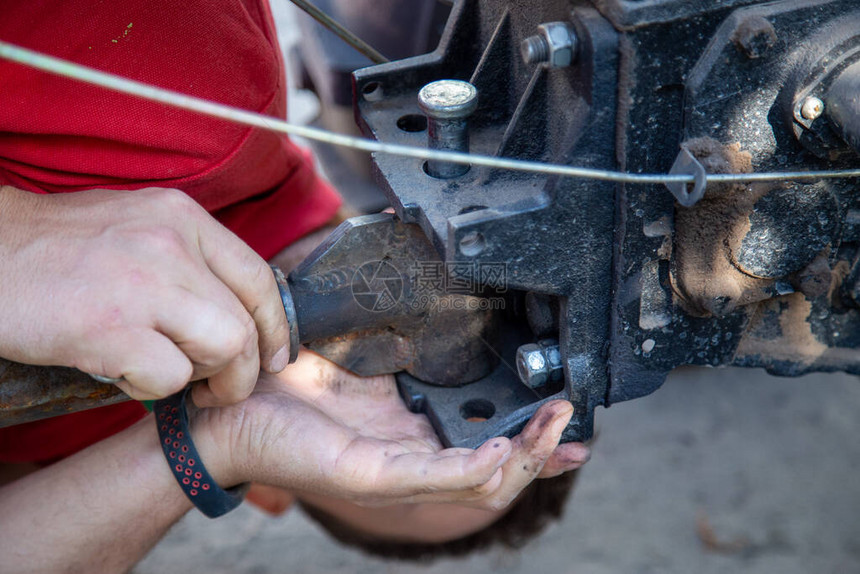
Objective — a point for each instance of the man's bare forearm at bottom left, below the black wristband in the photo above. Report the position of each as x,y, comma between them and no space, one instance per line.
100,510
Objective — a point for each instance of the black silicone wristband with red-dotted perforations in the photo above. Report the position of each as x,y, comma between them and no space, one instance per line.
184,461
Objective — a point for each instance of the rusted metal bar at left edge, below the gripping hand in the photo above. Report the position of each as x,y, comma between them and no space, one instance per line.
29,393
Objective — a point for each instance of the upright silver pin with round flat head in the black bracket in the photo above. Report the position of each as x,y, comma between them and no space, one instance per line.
447,105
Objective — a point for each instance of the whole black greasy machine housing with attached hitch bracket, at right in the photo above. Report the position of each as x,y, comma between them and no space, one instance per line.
698,280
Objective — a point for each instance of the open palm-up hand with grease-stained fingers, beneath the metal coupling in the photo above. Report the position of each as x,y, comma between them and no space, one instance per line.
318,429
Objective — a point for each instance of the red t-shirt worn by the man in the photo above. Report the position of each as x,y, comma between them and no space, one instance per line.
58,135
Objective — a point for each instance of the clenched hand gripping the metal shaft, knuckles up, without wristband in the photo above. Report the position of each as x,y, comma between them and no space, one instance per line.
143,285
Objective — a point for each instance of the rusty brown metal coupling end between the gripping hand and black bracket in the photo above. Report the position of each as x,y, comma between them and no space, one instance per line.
364,299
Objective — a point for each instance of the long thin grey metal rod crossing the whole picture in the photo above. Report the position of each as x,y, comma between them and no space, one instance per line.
176,99
